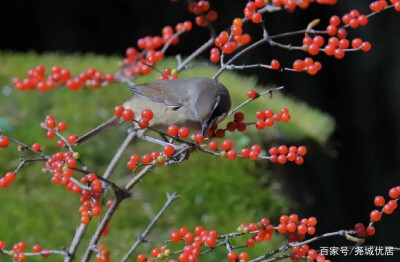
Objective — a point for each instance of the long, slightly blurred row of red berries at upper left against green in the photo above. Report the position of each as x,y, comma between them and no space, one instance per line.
61,77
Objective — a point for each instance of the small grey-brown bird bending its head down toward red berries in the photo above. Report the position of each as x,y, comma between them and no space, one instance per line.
196,103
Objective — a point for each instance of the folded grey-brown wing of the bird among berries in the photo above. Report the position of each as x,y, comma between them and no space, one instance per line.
159,92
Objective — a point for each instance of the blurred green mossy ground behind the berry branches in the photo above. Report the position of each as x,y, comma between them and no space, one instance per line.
216,193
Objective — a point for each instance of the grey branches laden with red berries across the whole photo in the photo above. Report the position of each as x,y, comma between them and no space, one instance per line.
66,166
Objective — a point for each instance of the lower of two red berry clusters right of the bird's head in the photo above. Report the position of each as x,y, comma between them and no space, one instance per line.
282,154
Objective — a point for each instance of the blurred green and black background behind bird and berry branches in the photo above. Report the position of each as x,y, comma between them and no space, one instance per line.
347,115
